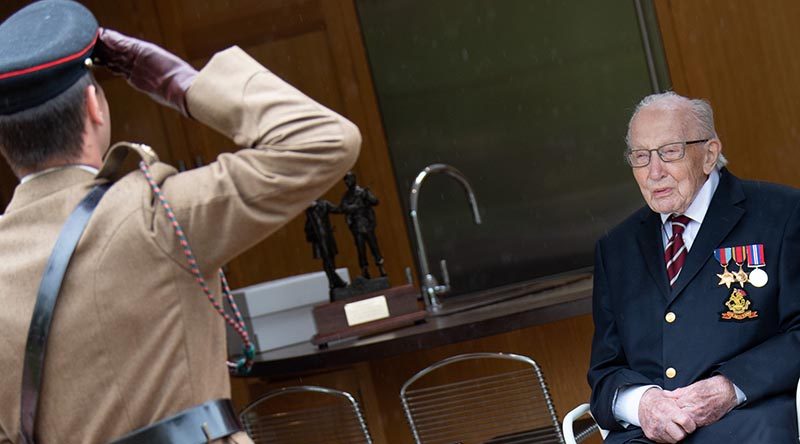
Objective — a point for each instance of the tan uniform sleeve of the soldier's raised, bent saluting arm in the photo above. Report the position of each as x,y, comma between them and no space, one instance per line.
293,150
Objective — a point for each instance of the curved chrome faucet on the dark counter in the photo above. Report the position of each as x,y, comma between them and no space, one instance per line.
430,286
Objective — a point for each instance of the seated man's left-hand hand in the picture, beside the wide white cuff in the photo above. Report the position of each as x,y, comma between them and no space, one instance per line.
661,418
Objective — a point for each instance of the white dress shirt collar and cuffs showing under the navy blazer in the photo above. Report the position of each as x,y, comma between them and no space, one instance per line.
626,403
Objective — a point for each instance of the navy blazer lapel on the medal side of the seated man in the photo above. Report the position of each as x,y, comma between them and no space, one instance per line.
723,214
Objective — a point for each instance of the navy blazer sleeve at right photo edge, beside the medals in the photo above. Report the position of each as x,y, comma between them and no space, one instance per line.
755,371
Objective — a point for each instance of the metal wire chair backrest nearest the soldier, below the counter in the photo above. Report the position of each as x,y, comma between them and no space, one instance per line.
305,415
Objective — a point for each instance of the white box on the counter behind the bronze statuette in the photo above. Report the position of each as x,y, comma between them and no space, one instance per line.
279,313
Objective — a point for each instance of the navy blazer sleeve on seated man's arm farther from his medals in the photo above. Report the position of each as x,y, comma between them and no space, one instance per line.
608,369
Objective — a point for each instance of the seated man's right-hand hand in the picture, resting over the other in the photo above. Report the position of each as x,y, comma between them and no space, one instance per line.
706,401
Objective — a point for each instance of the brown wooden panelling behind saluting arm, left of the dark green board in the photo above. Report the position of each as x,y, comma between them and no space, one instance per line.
316,46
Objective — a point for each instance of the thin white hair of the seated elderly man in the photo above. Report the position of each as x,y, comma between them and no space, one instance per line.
699,109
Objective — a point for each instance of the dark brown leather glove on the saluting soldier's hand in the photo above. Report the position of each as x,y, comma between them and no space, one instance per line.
149,68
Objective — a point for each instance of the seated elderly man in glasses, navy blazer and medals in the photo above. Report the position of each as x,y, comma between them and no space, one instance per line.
696,295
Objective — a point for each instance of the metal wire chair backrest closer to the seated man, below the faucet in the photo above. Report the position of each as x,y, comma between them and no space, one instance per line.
486,398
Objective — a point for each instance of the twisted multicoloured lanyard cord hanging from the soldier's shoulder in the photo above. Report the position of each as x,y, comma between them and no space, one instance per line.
242,366
